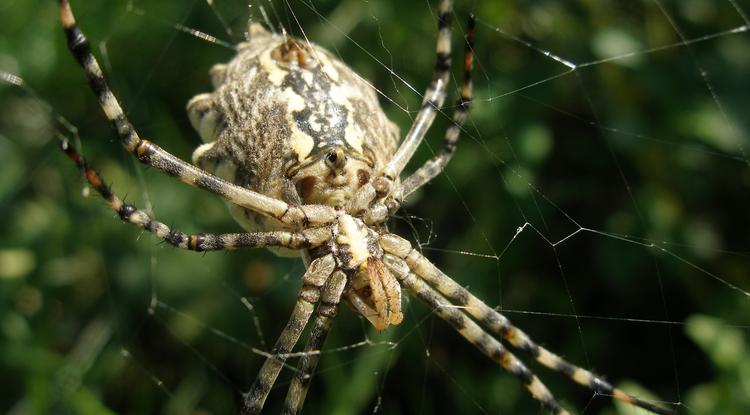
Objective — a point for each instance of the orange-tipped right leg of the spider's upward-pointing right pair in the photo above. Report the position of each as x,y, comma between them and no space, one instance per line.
434,166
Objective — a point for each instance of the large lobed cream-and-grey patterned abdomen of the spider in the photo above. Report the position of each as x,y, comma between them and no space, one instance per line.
279,108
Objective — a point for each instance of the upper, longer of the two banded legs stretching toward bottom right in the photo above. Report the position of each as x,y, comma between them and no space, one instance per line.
500,325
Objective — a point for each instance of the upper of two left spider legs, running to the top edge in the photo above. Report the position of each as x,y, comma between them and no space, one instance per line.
150,154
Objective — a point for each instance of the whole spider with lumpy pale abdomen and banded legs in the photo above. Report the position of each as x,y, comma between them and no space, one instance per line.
298,146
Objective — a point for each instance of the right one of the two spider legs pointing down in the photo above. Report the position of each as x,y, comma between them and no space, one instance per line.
329,302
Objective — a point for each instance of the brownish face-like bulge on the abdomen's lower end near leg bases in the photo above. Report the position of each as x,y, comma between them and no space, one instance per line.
331,176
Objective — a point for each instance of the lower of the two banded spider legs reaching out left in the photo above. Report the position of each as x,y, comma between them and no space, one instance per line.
307,238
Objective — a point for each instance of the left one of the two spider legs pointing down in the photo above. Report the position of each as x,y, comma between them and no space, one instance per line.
315,277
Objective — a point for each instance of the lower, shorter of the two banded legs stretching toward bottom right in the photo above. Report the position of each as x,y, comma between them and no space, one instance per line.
471,331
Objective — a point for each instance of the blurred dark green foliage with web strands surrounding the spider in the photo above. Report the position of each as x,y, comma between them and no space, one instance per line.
598,198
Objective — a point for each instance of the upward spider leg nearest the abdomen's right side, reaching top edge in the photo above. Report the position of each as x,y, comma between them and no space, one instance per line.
433,97
